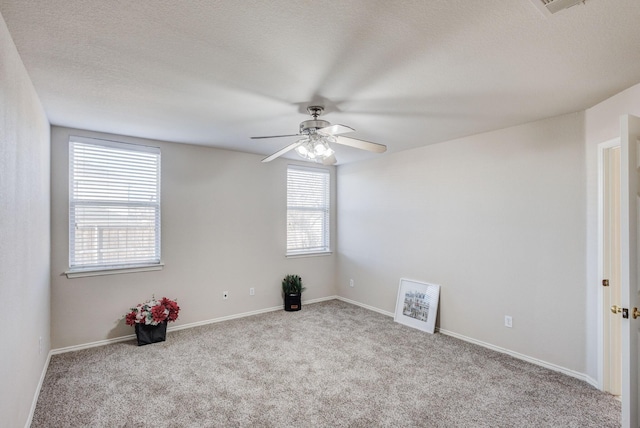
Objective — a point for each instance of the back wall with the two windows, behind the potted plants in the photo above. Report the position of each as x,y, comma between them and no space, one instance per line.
223,228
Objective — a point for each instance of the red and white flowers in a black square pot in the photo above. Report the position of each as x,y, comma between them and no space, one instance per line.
150,319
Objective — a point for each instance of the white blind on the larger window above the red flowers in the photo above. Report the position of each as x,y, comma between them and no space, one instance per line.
114,204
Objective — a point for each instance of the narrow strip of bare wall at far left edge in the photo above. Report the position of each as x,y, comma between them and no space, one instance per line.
24,236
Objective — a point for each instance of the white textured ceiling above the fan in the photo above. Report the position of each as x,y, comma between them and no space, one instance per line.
404,73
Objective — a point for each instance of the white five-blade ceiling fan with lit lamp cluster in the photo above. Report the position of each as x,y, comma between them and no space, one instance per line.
317,135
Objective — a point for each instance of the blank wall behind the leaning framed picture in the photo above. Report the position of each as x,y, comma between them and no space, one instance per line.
497,219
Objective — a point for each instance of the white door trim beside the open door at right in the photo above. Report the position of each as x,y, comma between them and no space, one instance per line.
602,147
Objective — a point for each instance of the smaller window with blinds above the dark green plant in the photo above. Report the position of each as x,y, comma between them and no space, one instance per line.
307,210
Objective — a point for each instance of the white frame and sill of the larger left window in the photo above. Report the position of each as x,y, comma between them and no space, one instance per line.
125,265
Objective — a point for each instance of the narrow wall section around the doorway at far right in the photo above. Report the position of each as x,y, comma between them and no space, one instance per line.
602,123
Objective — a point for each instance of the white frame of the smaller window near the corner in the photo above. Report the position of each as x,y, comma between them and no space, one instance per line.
325,210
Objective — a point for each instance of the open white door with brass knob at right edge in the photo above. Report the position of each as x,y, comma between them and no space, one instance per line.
629,284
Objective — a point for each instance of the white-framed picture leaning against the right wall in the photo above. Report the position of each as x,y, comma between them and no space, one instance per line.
417,304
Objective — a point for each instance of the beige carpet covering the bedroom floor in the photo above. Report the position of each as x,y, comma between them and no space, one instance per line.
331,364
